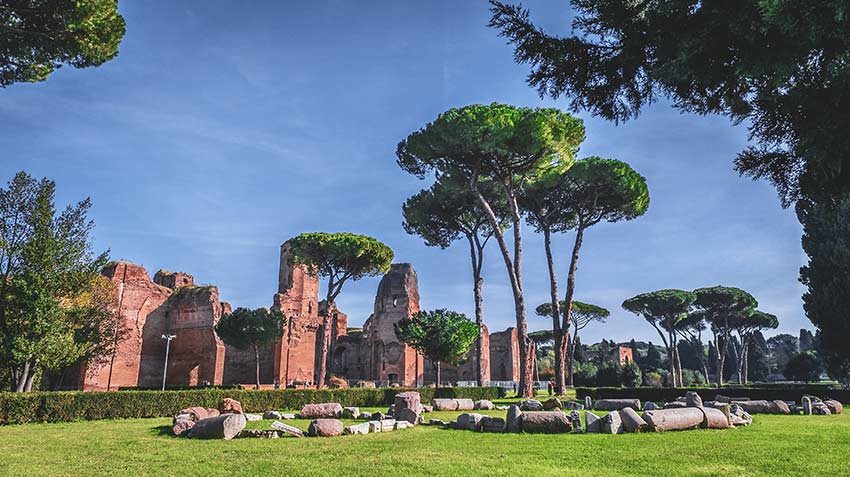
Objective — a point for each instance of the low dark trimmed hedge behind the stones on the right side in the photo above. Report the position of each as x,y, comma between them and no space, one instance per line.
786,393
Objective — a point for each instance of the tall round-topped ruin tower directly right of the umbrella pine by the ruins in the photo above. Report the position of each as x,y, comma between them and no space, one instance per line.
397,298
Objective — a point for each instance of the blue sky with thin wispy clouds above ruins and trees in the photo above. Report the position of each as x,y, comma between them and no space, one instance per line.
218,133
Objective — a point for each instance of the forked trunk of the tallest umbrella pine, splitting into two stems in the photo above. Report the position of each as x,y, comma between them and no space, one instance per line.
514,274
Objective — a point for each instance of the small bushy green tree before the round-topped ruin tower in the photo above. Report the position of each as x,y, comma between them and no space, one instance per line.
442,336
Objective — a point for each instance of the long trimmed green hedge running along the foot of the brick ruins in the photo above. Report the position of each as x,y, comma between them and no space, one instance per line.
17,408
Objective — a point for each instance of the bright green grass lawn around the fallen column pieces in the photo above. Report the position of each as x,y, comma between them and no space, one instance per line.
773,445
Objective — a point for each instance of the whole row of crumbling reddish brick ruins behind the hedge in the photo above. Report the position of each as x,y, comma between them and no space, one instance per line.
171,304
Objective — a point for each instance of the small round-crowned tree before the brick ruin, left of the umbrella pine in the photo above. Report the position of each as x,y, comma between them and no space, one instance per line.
251,329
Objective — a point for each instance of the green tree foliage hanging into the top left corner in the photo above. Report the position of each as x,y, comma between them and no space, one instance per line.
39,36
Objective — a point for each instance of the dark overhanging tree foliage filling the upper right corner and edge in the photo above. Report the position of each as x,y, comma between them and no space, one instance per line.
779,66
